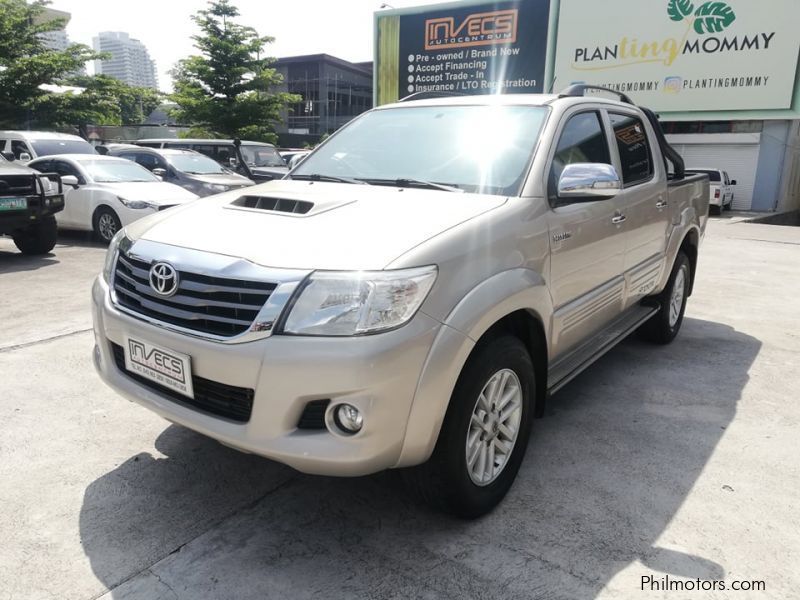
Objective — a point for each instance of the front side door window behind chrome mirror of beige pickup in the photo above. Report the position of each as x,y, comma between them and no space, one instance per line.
582,140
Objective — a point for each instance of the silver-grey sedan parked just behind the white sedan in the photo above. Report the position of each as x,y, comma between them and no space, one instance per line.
186,168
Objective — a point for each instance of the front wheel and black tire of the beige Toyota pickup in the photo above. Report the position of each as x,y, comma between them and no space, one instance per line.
485,432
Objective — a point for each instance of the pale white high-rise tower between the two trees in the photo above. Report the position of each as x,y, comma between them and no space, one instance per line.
130,61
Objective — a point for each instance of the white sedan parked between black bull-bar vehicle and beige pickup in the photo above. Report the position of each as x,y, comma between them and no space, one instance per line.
104,193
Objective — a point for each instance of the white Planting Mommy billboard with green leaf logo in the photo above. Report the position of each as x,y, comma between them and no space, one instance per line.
683,55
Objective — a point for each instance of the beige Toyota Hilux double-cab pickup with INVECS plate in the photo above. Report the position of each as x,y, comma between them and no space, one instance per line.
411,294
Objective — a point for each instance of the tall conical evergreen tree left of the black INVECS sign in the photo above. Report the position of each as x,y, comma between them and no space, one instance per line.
228,87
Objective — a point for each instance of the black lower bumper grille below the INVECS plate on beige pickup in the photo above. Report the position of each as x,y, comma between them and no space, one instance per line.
220,399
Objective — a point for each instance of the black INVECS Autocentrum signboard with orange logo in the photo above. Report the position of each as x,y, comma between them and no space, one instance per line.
463,48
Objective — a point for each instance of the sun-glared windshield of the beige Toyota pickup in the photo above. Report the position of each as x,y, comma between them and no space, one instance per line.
483,149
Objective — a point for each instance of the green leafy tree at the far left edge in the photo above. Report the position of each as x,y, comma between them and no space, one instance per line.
26,63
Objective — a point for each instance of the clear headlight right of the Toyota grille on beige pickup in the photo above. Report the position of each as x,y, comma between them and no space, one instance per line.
359,302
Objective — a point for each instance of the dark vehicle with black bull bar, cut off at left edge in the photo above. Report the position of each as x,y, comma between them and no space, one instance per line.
28,203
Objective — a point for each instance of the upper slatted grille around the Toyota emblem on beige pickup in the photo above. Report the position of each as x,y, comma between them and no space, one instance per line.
212,305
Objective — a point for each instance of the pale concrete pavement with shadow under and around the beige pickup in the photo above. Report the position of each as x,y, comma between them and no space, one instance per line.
677,460
